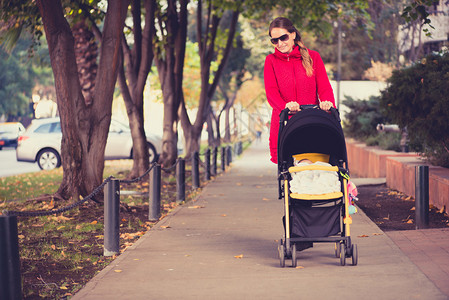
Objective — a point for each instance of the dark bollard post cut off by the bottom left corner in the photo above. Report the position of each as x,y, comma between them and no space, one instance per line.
10,279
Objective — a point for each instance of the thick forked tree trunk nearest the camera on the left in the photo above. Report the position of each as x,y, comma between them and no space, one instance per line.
84,129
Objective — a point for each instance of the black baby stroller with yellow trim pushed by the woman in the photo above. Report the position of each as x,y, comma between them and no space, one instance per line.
314,218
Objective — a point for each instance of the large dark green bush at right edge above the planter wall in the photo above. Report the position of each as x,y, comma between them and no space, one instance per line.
417,99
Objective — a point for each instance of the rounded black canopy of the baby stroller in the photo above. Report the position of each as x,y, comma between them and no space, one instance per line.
312,131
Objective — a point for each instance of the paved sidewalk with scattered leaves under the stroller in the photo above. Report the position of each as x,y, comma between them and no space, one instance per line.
224,246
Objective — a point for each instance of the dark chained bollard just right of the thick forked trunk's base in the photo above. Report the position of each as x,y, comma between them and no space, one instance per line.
112,218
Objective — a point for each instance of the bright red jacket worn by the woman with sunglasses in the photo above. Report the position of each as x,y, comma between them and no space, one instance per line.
286,80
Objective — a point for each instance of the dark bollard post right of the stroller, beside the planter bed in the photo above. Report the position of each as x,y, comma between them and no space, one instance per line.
422,196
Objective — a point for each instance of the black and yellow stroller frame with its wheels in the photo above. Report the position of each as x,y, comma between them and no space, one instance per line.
287,247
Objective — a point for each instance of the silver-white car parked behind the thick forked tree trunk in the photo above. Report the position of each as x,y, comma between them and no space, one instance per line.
41,143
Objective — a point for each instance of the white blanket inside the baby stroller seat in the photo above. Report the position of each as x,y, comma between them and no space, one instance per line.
314,182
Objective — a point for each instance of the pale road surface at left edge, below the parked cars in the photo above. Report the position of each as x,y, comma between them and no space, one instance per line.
10,166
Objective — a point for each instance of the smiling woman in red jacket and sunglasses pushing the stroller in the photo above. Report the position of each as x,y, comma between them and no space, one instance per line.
293,76
